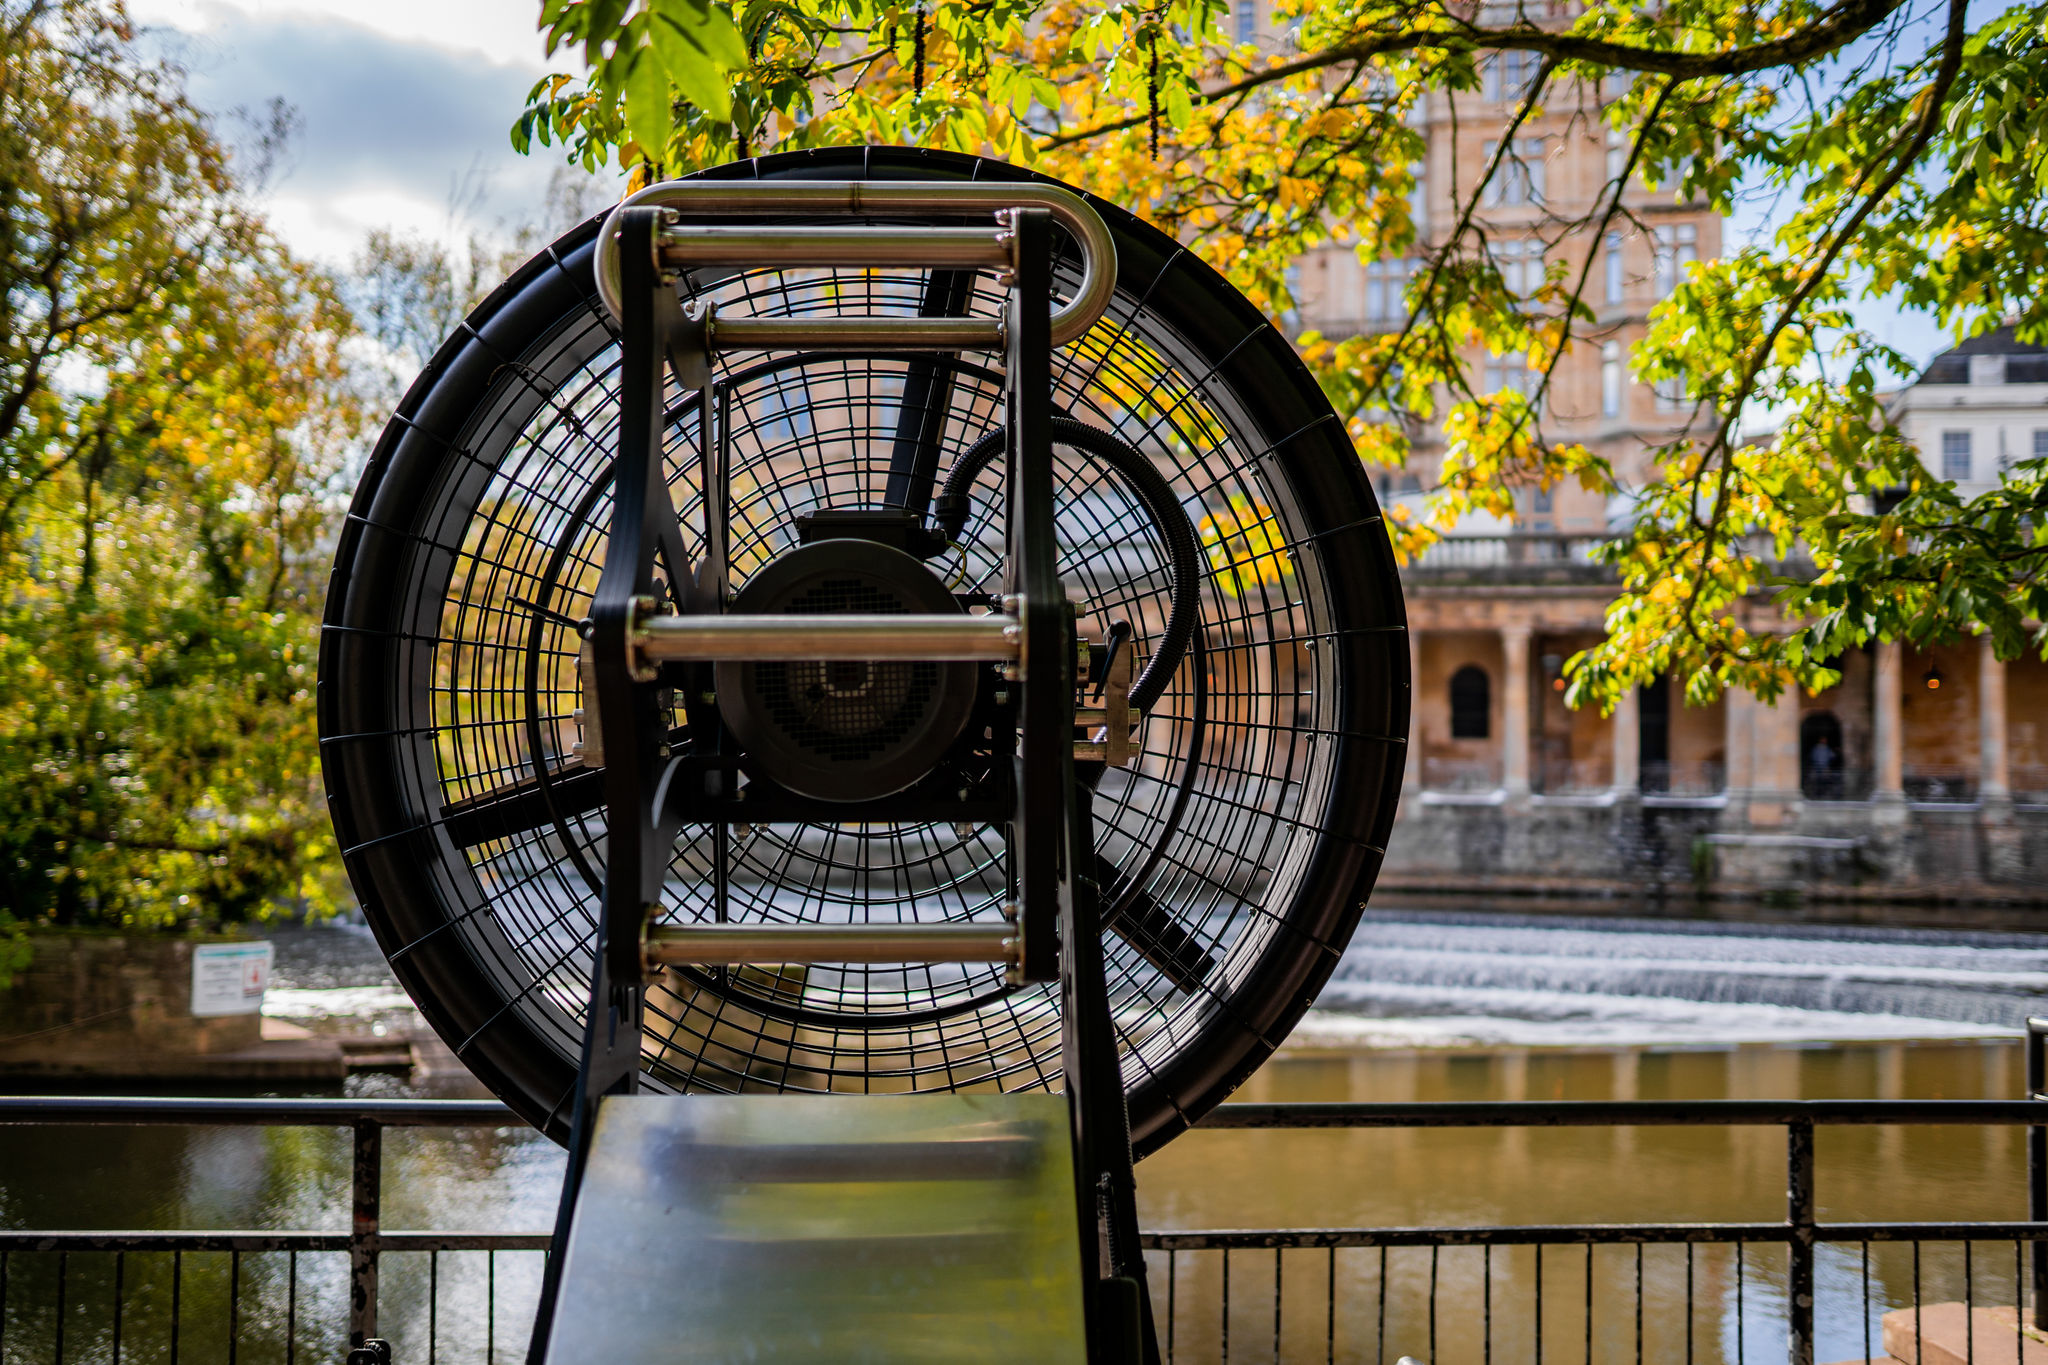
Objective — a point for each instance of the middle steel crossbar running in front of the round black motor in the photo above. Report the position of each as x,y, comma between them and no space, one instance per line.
998,640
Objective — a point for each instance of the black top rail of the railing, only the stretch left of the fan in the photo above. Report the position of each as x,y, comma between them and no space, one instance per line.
255,1112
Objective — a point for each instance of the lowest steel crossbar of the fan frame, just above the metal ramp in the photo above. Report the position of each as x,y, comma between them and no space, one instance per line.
798,944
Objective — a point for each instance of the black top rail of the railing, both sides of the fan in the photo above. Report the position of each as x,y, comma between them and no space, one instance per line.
1295,1114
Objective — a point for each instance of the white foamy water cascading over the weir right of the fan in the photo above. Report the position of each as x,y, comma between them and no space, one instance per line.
1449,979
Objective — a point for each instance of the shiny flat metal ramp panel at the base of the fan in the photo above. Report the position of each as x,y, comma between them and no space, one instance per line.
794,1229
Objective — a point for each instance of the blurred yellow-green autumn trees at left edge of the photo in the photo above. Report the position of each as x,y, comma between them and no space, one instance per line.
173,416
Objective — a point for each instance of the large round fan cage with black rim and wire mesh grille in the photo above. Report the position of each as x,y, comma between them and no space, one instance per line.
1236,848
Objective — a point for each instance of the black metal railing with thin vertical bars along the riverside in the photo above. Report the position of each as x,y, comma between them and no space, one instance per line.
1203,1315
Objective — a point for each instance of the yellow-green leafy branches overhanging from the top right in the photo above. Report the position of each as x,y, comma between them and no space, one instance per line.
1906,146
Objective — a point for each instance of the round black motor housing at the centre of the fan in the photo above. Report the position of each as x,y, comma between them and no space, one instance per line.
845,730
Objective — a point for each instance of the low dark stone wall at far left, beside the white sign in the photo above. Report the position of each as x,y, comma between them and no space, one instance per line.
101,1002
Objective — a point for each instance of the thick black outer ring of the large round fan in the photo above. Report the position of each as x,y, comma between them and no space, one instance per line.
370,640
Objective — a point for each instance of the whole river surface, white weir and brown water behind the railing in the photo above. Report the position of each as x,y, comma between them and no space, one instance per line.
1428,1006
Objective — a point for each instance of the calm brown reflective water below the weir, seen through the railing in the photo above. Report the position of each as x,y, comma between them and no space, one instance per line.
507,1180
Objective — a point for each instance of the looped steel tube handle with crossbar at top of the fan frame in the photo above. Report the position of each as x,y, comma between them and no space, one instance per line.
861,200
